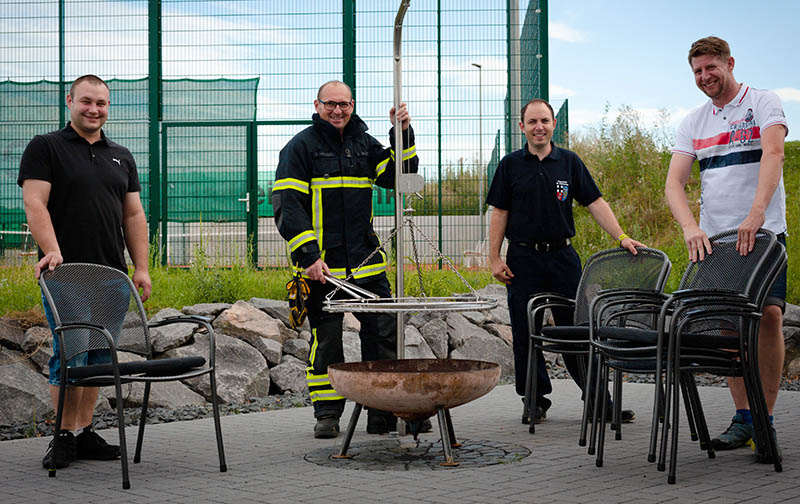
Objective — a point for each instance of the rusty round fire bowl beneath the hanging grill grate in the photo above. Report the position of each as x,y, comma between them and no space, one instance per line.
413,389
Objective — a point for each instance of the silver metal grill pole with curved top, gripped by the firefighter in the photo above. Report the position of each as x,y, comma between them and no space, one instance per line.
399,200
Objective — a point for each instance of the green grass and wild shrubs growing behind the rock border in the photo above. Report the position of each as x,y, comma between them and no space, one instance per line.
629,163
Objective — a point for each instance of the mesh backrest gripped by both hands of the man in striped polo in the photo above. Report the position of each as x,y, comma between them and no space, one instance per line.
725,268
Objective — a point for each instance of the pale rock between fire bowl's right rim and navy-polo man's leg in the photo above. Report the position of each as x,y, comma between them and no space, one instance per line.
471,342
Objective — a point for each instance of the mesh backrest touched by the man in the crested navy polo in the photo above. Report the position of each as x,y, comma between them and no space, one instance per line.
619,269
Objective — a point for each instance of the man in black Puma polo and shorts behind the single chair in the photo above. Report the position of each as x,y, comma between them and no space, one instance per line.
81,195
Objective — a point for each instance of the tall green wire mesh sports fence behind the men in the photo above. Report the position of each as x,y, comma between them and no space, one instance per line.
238,79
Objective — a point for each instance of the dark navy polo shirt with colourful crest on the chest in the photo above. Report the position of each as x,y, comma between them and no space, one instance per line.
538,194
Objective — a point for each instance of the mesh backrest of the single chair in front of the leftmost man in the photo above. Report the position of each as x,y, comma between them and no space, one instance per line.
99,295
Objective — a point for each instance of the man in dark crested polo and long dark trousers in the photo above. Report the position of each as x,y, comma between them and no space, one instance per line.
532,193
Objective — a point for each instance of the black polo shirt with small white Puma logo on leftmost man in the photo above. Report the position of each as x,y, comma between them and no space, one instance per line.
89,183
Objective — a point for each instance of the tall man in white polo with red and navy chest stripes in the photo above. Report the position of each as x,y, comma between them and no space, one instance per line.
737,138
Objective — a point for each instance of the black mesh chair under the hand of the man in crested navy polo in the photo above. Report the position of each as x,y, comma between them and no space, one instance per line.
614,268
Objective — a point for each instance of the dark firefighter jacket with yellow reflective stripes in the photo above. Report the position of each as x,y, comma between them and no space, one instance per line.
322,197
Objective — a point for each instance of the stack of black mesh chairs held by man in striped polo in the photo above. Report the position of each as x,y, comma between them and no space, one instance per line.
709,325
